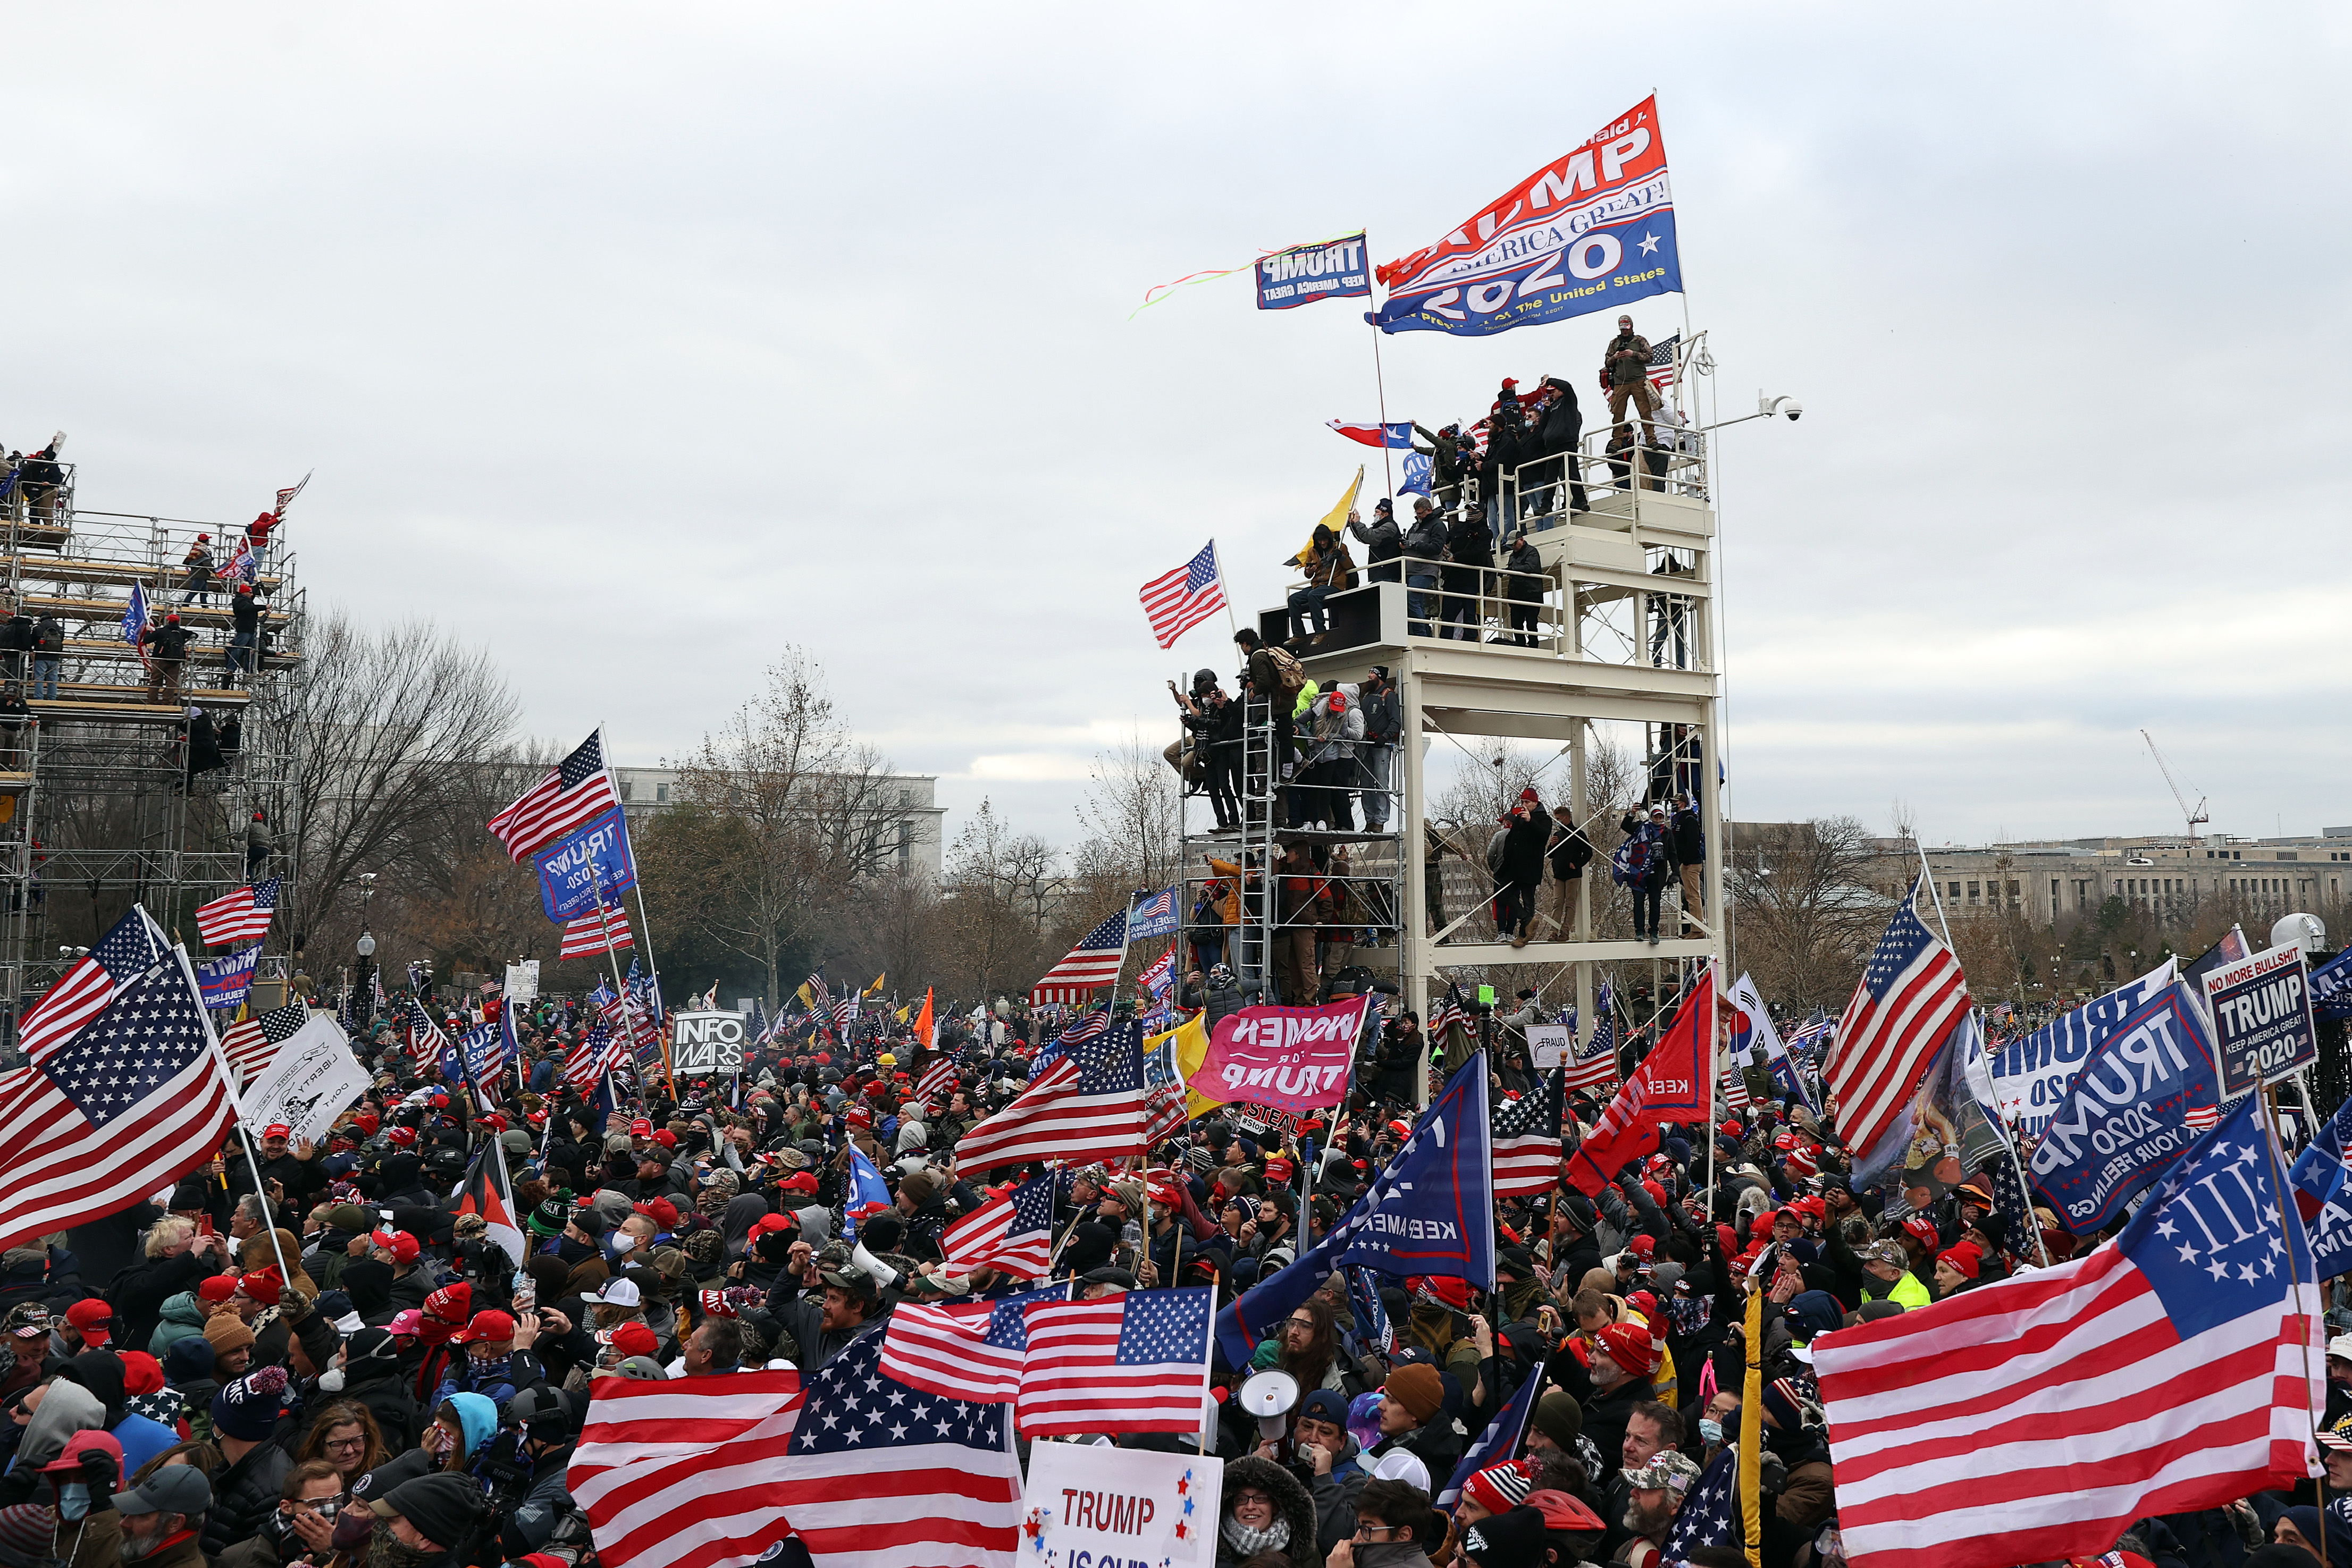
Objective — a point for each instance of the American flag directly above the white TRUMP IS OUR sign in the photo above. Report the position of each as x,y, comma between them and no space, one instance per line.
1135,1362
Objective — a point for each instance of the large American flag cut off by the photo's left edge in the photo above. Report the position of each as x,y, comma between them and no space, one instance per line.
114,1111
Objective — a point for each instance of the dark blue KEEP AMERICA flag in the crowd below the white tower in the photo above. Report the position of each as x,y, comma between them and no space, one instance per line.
1431,1212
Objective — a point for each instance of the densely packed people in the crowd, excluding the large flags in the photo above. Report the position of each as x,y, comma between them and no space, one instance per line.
316,1358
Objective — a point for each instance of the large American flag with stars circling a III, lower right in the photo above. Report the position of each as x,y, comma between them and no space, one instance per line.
2174,1369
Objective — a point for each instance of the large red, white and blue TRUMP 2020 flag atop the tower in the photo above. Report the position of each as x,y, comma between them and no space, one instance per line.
1586,232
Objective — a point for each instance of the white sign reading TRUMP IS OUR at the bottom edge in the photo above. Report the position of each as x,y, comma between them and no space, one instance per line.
1121,1508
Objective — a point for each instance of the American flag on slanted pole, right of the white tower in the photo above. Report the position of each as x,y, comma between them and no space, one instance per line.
1909,1000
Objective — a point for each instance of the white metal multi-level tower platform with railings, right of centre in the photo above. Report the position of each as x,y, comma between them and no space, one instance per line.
1615,626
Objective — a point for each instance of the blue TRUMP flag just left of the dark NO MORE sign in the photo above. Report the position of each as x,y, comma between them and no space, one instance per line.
2137,1106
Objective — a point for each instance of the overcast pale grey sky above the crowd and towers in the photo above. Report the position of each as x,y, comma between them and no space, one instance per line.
639,344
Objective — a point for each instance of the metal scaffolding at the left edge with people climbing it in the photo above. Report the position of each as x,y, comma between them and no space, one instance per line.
123,789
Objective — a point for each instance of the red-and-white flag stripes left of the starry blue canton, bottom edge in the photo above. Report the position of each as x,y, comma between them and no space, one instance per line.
671,1473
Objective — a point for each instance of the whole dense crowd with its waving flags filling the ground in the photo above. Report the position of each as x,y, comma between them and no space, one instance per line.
521,1294
